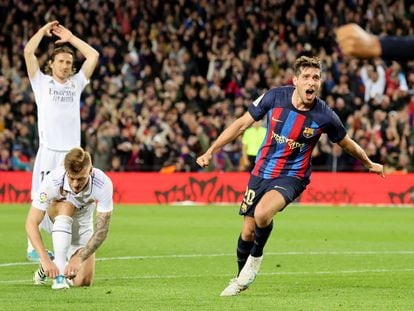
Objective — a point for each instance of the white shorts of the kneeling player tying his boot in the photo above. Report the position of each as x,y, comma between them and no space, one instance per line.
81,233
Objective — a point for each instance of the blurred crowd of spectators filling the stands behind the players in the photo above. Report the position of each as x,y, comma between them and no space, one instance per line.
173,74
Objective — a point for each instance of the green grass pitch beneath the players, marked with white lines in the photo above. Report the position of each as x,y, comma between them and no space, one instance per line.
182,257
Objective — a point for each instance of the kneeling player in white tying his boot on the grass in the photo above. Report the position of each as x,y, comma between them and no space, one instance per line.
64,206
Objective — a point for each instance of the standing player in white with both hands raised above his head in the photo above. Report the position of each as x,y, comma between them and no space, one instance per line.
57,95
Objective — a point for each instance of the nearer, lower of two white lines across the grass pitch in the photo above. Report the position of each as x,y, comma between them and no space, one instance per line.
186,276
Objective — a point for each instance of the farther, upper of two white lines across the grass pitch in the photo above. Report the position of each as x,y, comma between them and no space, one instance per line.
323,253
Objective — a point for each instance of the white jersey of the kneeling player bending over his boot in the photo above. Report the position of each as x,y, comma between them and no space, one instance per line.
97,193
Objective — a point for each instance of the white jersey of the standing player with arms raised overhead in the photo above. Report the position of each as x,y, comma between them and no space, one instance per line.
58,109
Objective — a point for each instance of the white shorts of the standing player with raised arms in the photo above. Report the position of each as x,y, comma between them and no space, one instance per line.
46,160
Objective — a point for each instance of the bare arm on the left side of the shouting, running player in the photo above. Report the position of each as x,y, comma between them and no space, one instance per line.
229,134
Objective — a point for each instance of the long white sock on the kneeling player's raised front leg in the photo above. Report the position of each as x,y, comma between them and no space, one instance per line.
62,238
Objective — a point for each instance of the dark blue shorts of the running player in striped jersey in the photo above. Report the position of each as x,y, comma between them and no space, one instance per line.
289,187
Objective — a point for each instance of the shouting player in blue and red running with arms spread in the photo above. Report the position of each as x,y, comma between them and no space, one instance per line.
296,119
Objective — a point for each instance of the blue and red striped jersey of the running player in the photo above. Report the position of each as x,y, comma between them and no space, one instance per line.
291,134
